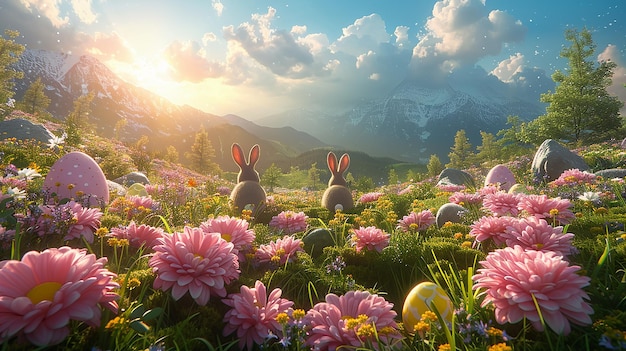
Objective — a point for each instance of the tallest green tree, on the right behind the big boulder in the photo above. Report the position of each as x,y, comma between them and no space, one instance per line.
580,110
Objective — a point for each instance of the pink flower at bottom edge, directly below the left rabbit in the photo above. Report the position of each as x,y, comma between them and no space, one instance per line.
253,314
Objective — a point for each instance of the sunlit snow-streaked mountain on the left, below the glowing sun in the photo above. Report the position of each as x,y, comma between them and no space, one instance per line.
67,77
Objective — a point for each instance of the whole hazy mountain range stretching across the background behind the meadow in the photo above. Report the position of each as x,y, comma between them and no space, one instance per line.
408,124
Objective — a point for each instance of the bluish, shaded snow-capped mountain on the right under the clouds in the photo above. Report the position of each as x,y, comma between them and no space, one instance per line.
418,119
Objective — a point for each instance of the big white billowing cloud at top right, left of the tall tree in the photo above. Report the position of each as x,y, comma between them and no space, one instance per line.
460,32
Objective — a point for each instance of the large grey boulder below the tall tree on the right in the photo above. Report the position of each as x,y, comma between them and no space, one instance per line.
552,159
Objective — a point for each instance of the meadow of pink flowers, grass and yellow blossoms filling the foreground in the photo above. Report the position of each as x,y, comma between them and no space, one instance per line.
172,266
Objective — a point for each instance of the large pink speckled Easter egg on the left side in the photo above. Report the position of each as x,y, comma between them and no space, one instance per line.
75,173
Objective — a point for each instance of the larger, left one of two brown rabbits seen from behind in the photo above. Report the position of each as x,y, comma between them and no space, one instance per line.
248,191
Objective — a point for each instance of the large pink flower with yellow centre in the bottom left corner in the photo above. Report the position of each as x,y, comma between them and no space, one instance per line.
40,294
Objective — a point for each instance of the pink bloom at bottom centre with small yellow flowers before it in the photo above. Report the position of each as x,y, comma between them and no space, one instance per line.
355,319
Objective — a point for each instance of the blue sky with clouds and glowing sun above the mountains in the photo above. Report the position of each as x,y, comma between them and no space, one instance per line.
256,58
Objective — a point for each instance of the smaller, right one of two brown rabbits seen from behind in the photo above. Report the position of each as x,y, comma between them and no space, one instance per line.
337,196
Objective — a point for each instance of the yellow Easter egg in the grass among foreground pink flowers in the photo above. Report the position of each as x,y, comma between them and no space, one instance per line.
425,296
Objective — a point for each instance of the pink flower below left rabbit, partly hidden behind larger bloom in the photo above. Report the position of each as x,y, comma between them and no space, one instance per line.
234,230
